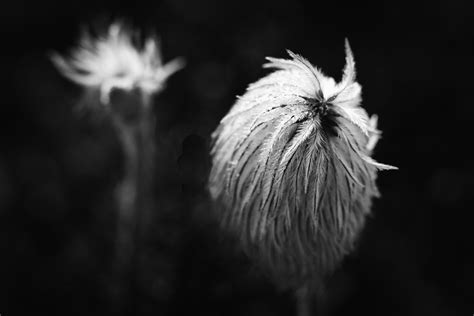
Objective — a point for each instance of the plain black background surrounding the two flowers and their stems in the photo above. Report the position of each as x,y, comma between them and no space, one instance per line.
59,166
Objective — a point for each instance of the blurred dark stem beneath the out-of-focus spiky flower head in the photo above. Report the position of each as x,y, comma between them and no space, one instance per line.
134,197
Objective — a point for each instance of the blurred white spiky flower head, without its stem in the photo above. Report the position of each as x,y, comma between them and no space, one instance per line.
113,61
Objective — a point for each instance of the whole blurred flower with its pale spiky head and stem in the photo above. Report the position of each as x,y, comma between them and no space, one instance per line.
125,76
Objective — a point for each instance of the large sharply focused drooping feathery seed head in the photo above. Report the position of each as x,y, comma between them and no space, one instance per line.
292,166
